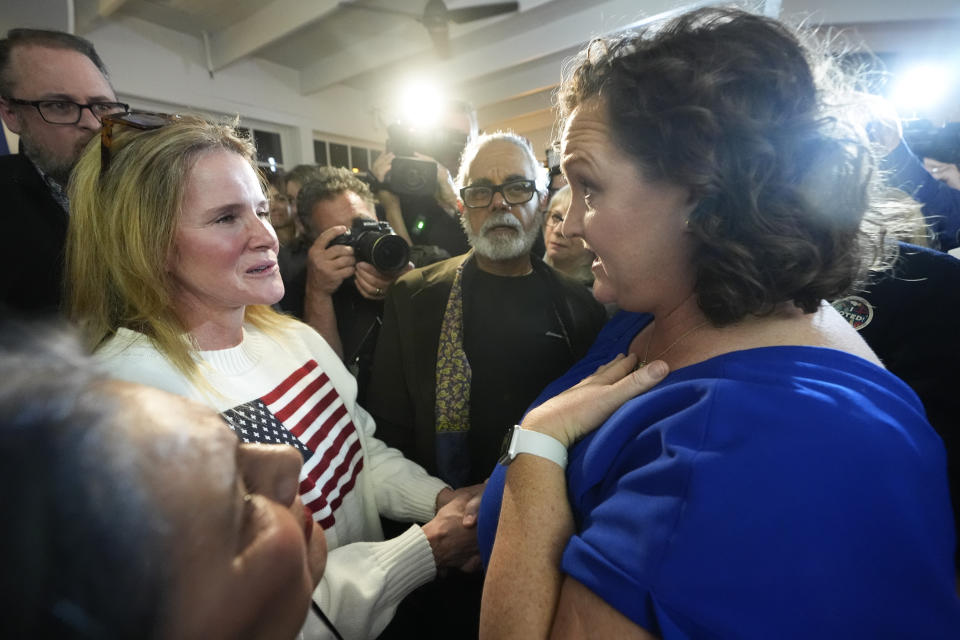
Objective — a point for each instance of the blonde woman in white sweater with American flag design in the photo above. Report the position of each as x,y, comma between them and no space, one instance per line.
172,268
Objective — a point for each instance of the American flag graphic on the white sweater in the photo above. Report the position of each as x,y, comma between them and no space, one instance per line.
306,411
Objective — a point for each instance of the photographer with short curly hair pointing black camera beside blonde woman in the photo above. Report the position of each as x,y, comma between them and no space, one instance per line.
351,261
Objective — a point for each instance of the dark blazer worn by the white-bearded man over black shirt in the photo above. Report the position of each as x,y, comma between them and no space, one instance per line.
402,390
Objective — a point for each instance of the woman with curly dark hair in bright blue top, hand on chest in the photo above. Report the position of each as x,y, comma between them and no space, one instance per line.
778,482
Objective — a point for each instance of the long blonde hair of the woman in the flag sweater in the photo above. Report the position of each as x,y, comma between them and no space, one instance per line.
122,227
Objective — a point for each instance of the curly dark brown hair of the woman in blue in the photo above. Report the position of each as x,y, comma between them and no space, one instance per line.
727,104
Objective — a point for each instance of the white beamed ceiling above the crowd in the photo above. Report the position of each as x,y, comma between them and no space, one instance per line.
506,65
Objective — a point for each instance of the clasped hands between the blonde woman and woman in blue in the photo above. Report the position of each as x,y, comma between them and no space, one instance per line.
453,531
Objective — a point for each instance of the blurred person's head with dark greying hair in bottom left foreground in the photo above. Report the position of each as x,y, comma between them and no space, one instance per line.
134,513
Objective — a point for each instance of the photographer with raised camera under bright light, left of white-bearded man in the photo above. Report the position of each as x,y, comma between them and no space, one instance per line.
415,186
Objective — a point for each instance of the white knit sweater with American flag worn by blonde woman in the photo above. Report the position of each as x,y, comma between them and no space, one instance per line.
348,481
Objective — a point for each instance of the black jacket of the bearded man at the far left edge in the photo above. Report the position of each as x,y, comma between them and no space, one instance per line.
35,227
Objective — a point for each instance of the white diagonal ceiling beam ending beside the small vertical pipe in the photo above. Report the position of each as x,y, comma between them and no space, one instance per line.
273,22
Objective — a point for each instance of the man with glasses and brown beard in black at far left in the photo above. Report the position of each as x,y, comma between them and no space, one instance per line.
53,92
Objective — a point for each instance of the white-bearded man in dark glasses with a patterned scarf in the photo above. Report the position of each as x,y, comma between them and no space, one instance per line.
468,343
